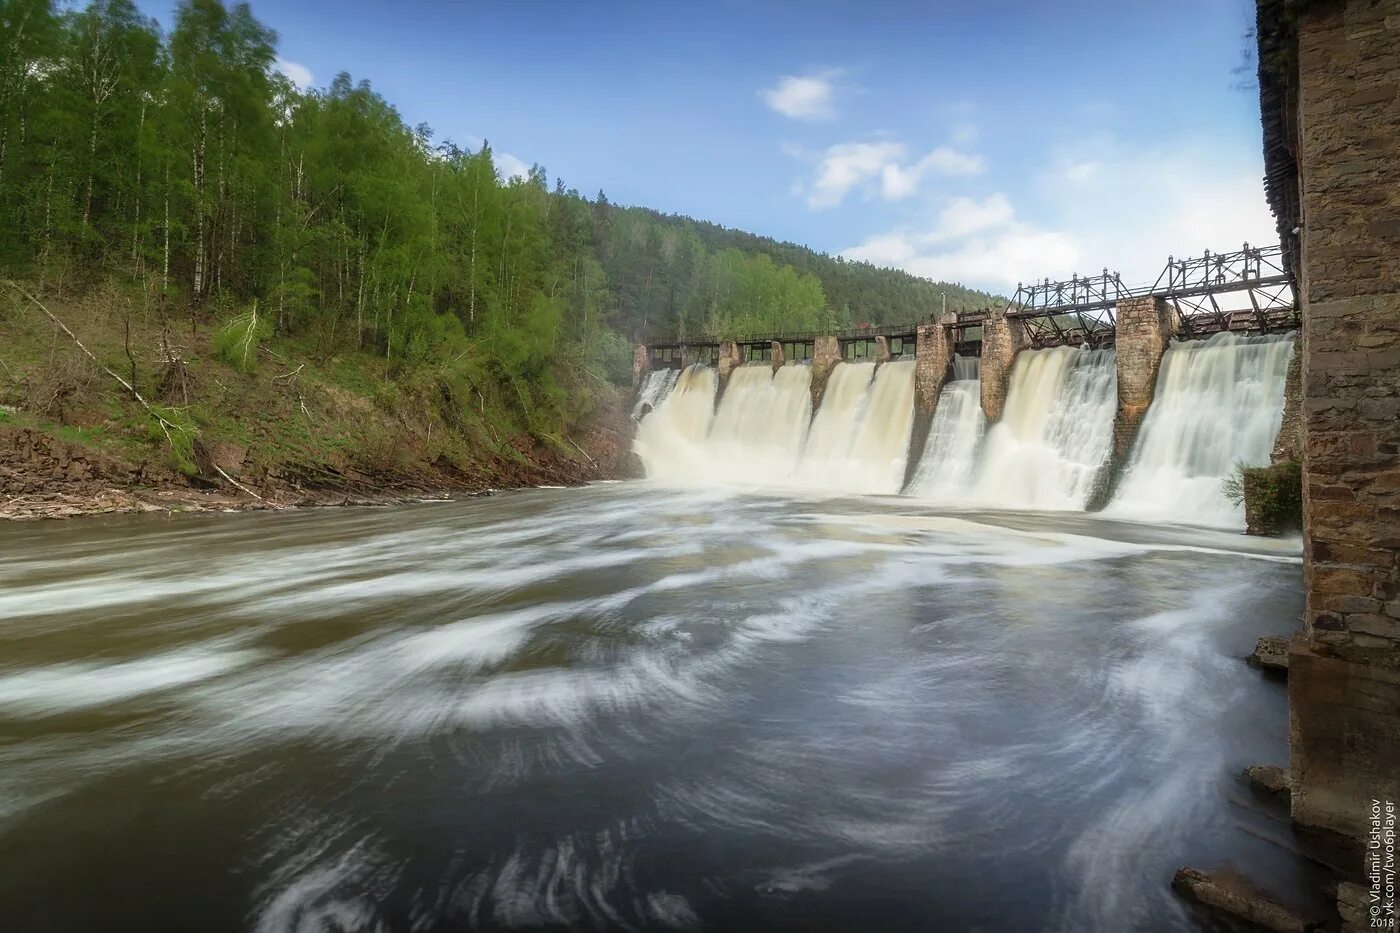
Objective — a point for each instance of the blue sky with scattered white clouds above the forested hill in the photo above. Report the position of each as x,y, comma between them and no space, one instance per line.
976,142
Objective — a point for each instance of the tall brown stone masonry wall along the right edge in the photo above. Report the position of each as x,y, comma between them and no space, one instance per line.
1345,672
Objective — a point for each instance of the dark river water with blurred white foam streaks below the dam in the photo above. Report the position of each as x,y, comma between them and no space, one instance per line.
632,708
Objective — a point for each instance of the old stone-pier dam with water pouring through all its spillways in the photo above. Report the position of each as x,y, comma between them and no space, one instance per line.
1076,399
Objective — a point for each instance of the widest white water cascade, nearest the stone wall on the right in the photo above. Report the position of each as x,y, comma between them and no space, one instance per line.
1219,403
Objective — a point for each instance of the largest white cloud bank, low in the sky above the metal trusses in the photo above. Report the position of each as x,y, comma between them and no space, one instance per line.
1104,205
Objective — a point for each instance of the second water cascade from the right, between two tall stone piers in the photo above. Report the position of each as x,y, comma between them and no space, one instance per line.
1055,436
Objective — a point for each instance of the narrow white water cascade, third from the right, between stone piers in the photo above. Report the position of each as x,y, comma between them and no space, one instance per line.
951,450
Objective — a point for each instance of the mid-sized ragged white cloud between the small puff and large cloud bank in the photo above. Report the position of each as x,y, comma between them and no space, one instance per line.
883,167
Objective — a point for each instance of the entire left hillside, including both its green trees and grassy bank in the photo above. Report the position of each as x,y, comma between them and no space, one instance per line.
271,288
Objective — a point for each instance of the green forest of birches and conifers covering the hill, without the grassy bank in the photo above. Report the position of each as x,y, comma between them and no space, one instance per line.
183,177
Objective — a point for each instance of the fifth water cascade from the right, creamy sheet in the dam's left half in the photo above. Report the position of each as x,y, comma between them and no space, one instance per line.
758,432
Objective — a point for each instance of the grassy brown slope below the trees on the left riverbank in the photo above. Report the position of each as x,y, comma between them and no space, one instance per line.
296,417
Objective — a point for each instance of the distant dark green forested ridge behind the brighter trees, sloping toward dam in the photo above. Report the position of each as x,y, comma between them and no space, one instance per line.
855,292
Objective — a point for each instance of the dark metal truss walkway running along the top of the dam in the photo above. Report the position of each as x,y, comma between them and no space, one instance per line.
1209,295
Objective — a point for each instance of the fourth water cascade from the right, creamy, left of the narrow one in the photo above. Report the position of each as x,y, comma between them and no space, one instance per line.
860,439
